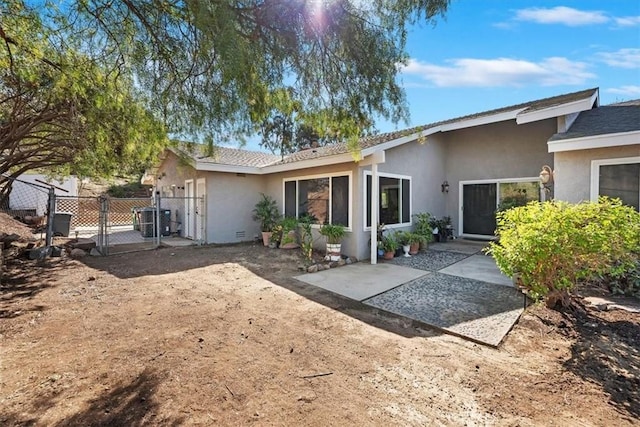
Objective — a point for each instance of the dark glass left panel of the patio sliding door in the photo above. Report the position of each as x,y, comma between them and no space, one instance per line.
479,205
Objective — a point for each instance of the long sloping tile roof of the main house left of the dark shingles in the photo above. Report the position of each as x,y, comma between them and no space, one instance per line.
239,157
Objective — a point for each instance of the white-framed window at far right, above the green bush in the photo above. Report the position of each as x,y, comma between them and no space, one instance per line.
617,178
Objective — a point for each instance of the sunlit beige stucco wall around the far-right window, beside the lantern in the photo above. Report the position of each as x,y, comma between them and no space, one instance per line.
573,170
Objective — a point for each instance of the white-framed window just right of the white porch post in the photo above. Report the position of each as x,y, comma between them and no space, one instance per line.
394,198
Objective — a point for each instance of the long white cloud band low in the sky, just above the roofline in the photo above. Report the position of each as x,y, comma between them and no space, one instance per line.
469,72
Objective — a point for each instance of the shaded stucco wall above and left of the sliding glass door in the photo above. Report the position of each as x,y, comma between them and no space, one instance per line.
495,151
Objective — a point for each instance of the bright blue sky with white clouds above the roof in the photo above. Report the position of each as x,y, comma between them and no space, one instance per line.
487,54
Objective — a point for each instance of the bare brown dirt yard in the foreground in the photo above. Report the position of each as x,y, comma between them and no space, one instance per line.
226,336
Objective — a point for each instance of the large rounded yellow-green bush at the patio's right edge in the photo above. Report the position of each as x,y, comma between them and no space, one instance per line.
550,247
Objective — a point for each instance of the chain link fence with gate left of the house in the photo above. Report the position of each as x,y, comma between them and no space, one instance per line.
114,225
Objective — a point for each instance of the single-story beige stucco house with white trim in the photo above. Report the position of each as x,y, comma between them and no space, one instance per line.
464,168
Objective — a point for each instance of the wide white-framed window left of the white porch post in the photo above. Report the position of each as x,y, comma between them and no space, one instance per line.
326,198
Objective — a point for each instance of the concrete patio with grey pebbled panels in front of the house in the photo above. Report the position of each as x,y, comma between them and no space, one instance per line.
452,286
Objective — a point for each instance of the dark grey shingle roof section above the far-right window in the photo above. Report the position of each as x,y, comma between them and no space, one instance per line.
614,118
